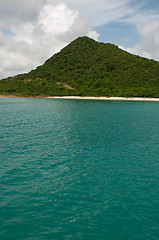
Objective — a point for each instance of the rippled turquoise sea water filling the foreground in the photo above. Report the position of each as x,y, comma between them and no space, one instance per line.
76,169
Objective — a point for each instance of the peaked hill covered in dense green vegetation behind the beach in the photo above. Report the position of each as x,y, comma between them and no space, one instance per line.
88,68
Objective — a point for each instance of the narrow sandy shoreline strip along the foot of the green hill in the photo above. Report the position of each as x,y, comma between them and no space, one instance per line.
88,98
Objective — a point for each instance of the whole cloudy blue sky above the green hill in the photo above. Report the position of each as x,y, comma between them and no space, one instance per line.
32,31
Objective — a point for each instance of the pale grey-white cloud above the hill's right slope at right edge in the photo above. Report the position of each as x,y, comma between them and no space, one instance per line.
149,43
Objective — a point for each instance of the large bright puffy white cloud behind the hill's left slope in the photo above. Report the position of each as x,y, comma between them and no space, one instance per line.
29,44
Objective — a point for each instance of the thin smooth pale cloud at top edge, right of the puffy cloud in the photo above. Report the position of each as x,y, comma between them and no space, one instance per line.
100,12
